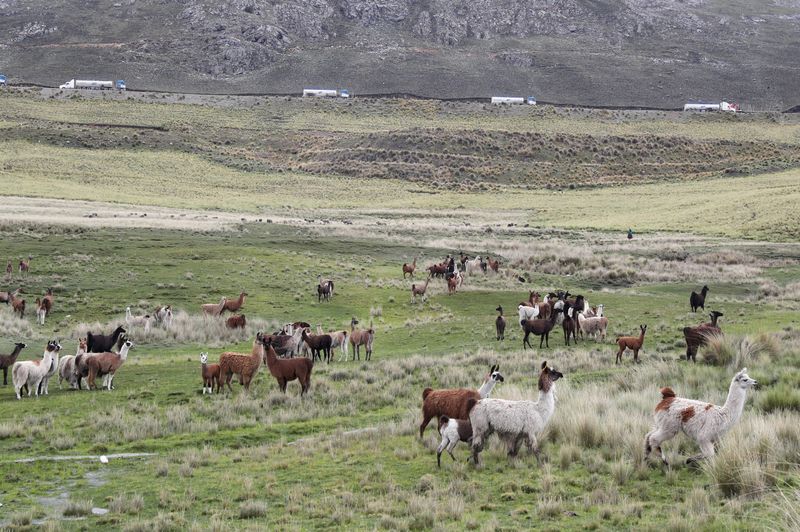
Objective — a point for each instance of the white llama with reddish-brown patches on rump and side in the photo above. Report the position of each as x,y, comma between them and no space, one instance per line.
703,422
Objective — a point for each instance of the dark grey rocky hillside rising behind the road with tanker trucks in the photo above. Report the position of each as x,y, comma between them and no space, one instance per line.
599,52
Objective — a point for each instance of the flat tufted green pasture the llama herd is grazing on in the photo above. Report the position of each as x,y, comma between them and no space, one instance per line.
348,454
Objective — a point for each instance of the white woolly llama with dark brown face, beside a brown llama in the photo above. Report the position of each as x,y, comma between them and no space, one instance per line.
514,421
